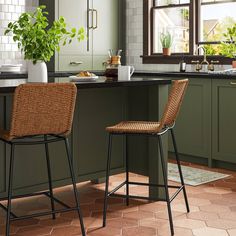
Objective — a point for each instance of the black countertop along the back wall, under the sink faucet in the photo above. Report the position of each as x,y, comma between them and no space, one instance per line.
137,73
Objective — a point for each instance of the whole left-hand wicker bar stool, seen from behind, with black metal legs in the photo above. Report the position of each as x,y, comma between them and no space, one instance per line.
43,114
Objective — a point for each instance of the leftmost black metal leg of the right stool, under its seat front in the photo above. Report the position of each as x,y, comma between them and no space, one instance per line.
107,178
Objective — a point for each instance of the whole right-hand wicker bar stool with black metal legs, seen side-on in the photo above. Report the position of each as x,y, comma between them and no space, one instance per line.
151,129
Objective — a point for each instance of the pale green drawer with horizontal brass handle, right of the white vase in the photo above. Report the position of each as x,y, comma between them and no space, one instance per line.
74,63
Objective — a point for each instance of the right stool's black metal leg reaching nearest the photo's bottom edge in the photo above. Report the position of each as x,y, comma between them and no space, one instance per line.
165,180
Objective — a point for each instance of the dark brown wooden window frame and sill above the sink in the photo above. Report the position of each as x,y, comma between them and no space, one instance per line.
149,57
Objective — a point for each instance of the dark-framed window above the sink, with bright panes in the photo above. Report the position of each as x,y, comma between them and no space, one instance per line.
190,22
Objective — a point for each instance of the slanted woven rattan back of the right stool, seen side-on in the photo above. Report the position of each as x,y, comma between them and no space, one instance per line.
174,102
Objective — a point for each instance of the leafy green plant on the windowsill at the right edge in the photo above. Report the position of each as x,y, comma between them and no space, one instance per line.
228,46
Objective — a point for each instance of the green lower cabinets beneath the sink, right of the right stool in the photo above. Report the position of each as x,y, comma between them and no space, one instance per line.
206,127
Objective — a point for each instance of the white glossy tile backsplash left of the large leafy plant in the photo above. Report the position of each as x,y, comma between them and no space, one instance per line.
10,11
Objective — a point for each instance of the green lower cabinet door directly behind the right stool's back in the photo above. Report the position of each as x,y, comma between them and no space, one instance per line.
193,125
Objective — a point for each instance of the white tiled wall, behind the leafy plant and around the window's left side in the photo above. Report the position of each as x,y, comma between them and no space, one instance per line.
11,9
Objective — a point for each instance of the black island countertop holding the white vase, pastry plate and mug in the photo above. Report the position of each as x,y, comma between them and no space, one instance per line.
9,85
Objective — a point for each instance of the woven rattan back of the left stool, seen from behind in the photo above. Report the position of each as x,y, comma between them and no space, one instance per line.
43,109
